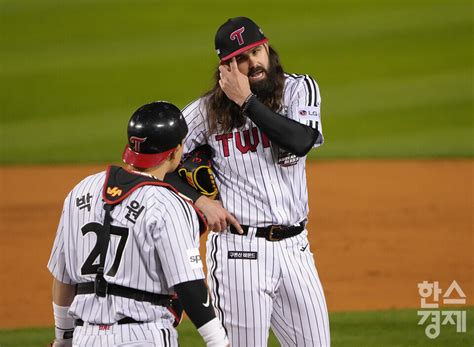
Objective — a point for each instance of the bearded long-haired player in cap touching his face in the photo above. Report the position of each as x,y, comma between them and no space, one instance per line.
260,123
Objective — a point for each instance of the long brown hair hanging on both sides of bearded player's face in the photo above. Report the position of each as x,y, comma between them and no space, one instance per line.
225,115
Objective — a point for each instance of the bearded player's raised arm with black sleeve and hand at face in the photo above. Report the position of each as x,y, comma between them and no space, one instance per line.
289,134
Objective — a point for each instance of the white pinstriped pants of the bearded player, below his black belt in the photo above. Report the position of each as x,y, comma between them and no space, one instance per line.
279,289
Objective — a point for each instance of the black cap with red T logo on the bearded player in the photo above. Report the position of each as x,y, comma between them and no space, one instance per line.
236,36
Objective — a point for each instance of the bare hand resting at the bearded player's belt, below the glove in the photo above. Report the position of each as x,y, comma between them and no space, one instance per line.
218,218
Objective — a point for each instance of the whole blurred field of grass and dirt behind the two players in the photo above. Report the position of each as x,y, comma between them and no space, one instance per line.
396,79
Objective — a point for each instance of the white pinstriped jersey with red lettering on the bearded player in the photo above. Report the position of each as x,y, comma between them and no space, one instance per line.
260,183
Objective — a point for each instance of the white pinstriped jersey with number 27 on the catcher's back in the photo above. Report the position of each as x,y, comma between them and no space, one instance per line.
154,240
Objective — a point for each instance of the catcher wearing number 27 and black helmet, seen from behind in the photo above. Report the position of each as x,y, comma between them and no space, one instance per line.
127,242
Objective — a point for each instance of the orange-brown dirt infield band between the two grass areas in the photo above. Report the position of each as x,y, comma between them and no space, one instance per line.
377,227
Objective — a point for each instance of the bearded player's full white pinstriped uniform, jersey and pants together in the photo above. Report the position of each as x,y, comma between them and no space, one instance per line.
256,284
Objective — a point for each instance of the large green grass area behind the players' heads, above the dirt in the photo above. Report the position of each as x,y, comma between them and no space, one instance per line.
395,76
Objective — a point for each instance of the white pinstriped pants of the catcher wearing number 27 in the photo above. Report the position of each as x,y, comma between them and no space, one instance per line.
137,335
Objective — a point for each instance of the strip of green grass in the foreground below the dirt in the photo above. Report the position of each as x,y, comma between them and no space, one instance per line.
395,328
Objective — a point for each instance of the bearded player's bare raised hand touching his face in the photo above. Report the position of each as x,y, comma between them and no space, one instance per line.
234,83
